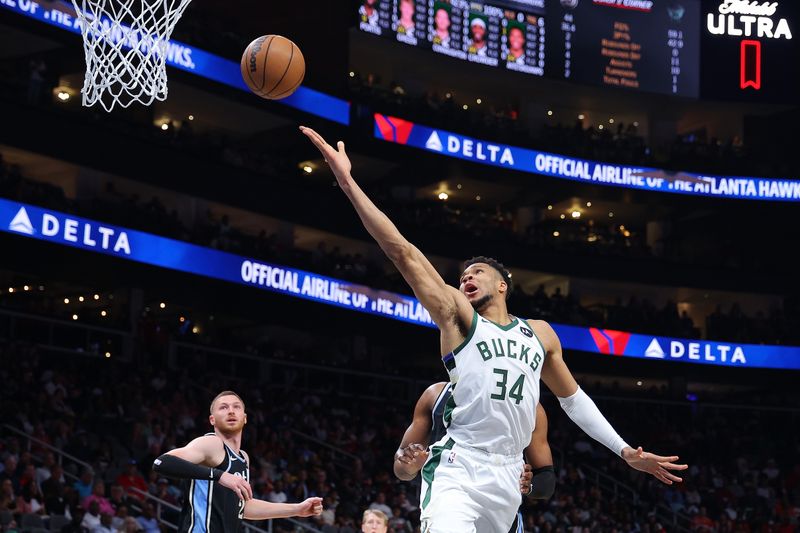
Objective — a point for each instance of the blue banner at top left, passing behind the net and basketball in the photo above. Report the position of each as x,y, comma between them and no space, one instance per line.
190,59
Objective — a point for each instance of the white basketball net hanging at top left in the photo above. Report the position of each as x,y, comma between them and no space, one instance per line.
126,45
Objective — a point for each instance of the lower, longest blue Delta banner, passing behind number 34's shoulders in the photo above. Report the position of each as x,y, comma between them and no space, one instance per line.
76,232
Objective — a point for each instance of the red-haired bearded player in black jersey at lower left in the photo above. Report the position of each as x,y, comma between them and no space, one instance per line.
219,494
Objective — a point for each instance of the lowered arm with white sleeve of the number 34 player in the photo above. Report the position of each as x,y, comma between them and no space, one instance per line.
583,411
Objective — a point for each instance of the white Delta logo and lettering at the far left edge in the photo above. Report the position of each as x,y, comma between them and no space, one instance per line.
69,230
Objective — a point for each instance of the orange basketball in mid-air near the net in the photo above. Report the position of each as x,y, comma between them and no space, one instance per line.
273,67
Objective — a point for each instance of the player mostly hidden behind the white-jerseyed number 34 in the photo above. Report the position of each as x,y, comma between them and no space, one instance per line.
537,480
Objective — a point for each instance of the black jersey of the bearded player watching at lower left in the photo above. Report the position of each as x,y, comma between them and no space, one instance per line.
208,507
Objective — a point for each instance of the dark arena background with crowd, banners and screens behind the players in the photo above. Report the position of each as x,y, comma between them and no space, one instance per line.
633,163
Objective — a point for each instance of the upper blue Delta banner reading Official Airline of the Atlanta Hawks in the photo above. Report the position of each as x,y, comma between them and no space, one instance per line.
451,144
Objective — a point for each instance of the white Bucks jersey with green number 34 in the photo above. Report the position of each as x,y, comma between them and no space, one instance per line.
495,374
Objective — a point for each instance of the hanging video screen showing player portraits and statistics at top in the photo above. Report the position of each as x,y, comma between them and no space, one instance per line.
647,45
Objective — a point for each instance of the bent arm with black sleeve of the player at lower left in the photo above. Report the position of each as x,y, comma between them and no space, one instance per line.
196,460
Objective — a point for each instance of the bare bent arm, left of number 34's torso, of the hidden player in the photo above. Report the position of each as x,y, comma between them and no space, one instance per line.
413,450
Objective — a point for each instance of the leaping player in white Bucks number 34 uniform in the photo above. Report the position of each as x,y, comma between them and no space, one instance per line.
495,361
